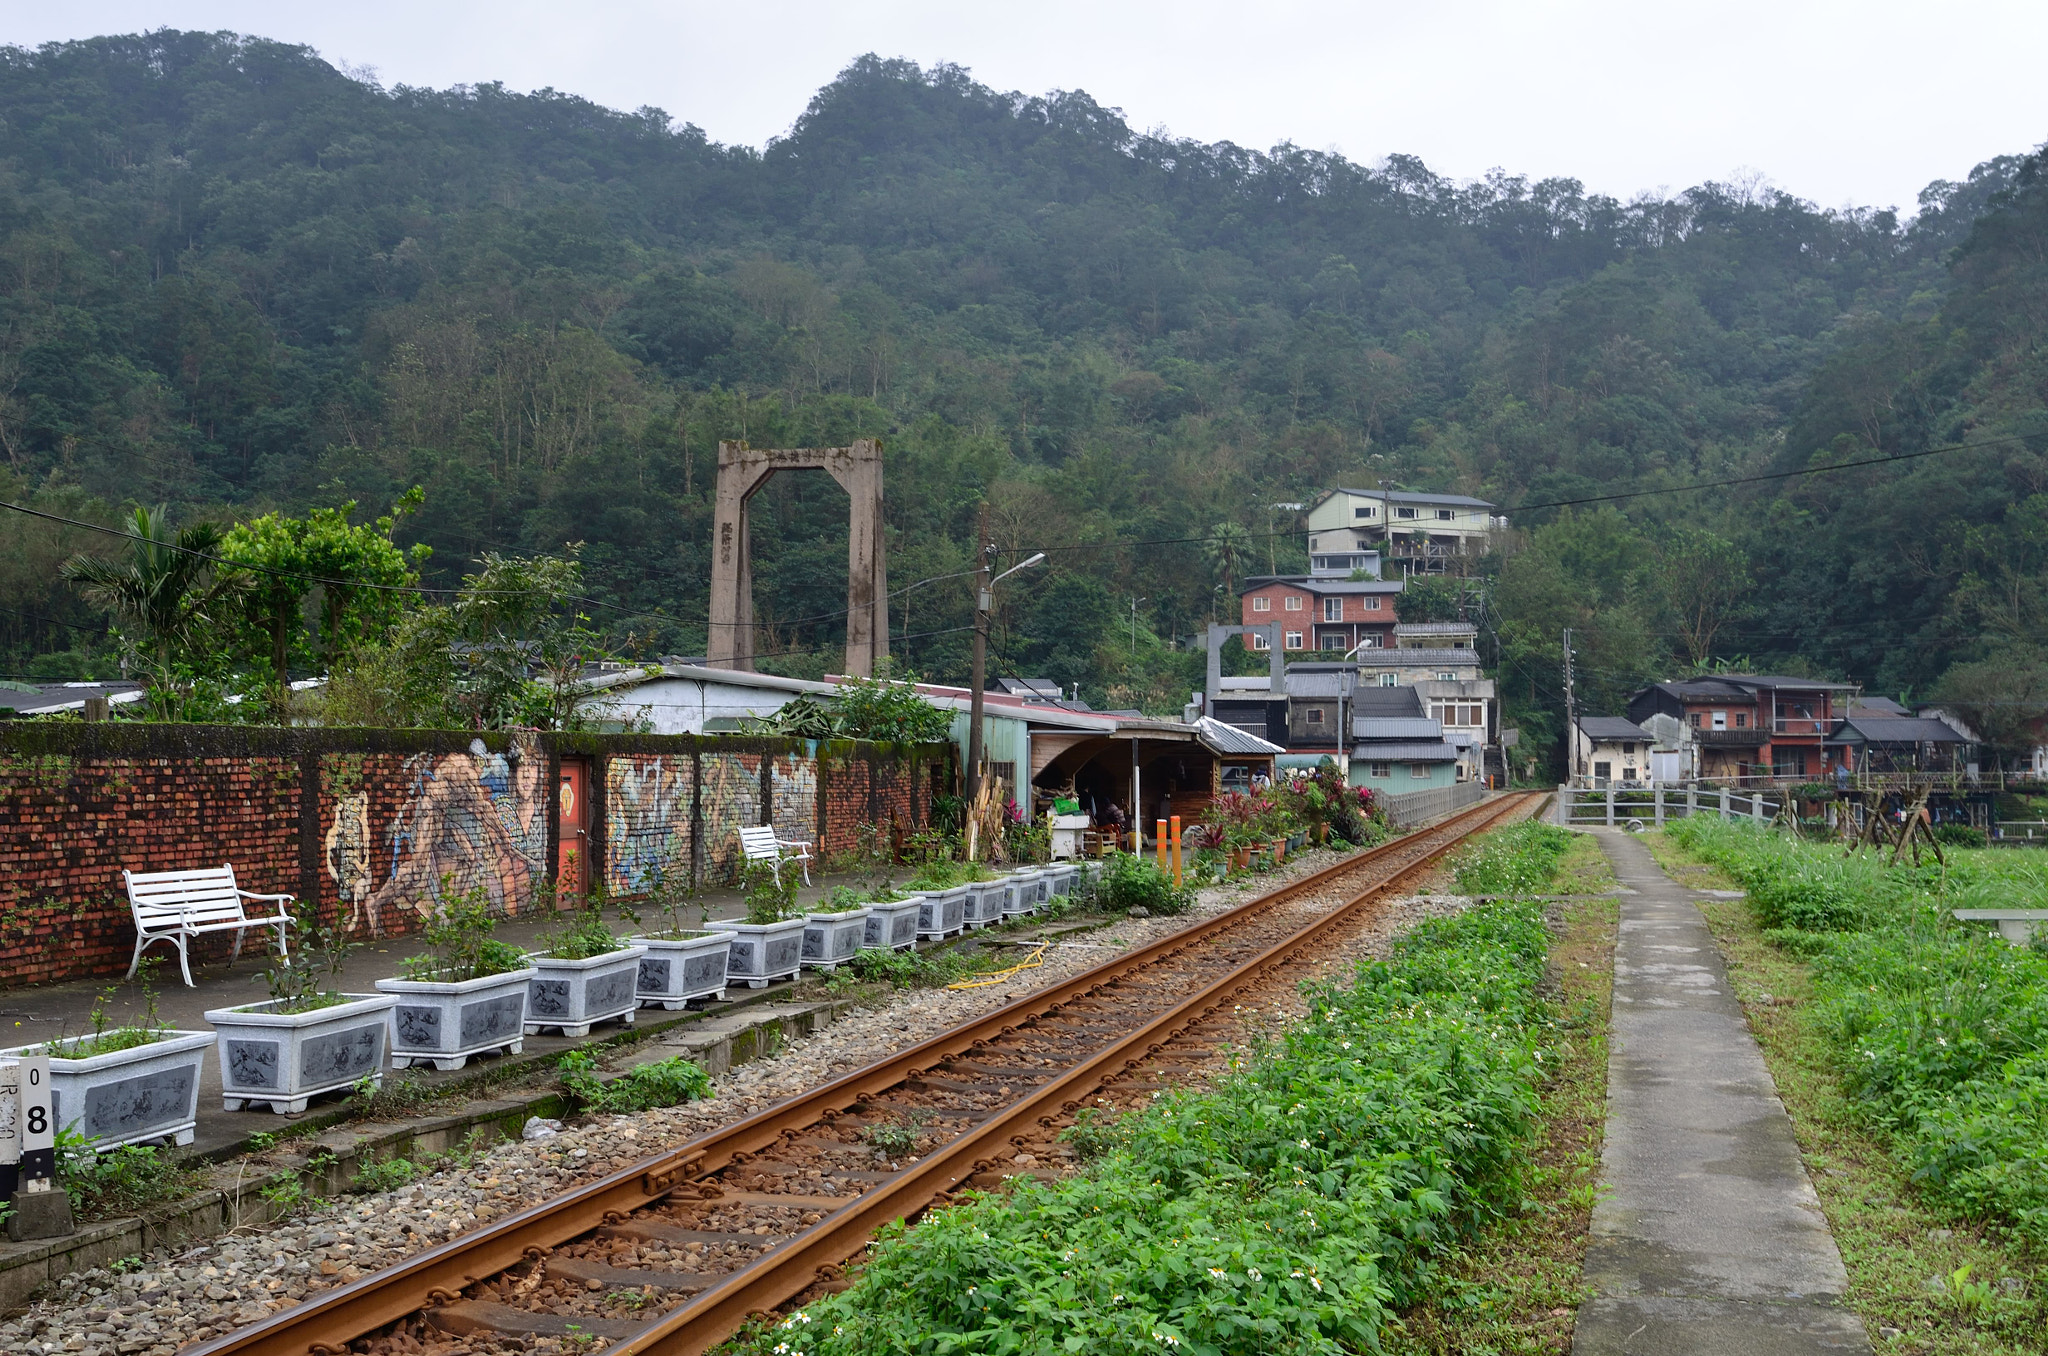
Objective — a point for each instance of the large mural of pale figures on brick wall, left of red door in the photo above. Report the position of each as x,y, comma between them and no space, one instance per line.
476,820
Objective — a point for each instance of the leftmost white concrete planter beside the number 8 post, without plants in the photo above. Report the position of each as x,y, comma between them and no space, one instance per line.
128,1097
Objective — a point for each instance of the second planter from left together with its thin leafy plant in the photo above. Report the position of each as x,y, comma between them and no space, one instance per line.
308,1037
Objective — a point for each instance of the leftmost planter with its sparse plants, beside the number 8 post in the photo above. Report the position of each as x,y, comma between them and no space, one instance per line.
126,1085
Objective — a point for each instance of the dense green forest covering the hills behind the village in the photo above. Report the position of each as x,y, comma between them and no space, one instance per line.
237,282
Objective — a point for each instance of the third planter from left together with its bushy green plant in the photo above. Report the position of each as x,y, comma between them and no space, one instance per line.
466,994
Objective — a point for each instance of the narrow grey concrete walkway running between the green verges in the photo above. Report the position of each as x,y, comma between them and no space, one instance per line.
1709,1236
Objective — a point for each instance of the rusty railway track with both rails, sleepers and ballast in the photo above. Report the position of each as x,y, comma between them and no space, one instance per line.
675,1255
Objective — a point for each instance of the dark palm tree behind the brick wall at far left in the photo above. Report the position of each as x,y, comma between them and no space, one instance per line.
167,587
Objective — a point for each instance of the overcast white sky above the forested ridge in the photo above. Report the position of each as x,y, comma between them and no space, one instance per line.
1838,103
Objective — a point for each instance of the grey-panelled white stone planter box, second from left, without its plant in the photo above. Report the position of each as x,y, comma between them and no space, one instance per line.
280,1060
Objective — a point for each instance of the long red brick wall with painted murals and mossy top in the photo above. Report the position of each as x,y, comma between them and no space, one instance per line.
382,827
